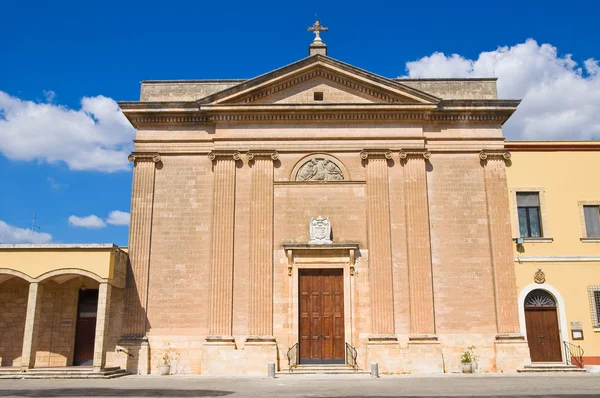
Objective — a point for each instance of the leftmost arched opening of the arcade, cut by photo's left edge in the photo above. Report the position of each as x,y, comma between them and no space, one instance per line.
14,290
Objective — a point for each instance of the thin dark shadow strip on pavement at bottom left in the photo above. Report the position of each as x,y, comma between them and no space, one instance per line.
112,392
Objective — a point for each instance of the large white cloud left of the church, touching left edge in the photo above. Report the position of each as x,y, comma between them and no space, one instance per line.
95,137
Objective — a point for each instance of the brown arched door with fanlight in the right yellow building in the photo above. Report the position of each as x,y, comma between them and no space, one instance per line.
541,322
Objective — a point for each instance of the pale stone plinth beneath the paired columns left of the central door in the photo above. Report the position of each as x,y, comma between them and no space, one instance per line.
223,358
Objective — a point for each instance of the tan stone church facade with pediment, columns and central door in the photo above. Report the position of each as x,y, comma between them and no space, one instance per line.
320,214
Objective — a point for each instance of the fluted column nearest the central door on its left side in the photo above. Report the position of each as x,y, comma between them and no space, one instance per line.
260,321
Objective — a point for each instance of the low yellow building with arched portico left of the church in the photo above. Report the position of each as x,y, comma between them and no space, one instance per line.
61,305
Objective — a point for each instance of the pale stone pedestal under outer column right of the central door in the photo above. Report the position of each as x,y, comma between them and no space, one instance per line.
424,355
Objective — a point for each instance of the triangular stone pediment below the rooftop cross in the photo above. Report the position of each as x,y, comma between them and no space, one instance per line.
333,81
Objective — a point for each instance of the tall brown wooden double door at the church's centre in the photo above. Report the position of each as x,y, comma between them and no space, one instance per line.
321,316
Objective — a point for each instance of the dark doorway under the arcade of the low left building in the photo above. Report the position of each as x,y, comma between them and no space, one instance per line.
85,330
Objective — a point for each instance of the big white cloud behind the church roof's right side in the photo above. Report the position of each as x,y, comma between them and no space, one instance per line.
560,99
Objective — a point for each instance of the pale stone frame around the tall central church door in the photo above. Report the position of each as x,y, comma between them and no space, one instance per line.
295,298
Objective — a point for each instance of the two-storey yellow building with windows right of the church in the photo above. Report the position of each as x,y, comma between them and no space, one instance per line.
554,199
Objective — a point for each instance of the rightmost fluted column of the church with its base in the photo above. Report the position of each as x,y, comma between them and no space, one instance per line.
512,351
